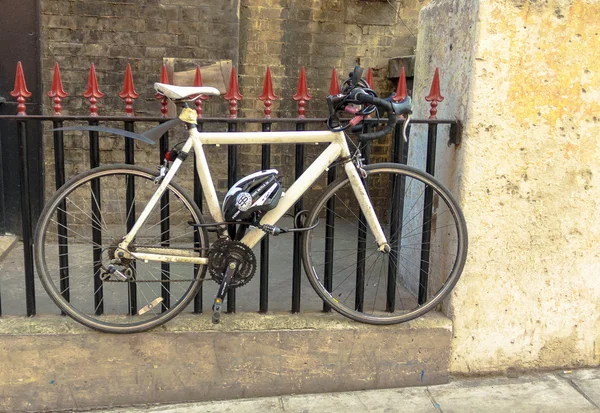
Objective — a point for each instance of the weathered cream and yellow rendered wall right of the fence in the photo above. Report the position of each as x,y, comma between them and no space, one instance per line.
521,76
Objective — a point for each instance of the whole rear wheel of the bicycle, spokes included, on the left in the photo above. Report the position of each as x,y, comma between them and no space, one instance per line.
79,232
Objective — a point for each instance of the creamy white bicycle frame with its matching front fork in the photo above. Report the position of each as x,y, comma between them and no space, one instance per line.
338,147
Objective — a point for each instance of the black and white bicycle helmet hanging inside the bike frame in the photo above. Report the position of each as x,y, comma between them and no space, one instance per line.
256,193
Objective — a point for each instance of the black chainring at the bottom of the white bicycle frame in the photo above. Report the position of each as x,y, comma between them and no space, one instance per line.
223,250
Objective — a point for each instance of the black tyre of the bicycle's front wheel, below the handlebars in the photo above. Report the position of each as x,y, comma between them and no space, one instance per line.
452,278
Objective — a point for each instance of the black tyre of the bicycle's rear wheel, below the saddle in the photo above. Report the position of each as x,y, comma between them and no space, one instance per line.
47,281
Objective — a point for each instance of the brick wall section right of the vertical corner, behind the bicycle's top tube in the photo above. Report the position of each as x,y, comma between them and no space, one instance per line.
320,35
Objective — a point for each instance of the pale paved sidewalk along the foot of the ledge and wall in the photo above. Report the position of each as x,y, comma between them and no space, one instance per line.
564,391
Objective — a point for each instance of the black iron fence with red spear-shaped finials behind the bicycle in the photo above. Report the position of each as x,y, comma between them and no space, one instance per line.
26,130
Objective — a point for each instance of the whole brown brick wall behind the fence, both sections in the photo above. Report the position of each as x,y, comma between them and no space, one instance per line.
282,34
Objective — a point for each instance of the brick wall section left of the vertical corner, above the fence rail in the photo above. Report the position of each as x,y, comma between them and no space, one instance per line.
112,33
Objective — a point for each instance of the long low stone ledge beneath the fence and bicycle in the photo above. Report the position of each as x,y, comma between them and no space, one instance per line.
52,363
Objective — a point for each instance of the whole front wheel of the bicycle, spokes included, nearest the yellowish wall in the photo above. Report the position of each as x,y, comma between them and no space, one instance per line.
425,230
